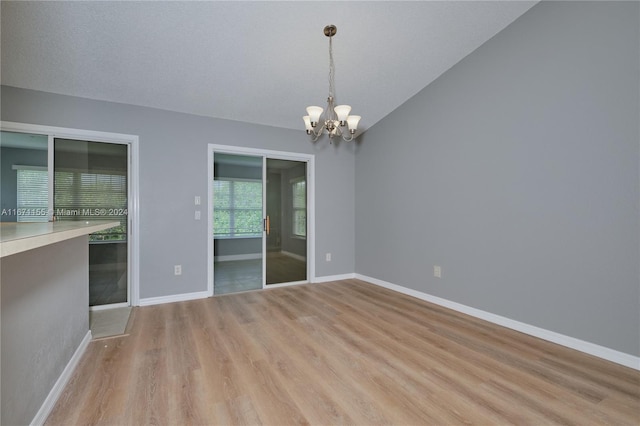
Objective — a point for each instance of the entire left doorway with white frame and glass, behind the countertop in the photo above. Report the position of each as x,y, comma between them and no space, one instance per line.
69,174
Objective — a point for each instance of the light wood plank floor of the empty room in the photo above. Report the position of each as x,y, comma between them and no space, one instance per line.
345,352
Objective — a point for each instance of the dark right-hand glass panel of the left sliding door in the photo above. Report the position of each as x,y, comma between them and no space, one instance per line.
91,183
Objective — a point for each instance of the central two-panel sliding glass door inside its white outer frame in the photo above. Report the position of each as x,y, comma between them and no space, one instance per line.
259,224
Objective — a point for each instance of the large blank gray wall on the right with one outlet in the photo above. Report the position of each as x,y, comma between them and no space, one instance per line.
517,172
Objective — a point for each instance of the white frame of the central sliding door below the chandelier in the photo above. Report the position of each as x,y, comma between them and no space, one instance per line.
270,154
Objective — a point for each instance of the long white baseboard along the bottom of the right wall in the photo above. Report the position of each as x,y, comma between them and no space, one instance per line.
551,336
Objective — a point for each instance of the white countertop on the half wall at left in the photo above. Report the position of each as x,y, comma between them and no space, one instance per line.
16,237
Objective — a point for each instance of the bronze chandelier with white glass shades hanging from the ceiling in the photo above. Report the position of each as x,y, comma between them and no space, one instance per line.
337,117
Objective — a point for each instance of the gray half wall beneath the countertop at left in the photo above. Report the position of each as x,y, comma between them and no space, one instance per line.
44,319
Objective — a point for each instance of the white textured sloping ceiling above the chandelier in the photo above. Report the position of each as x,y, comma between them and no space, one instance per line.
259,62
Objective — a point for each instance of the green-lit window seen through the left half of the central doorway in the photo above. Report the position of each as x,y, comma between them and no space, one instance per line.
237,209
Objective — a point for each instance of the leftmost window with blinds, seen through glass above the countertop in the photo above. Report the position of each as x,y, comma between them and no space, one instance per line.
32,194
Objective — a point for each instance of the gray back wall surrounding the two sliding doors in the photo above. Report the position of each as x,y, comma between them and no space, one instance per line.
173,169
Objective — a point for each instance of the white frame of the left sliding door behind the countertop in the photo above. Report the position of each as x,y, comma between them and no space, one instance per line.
133,183
